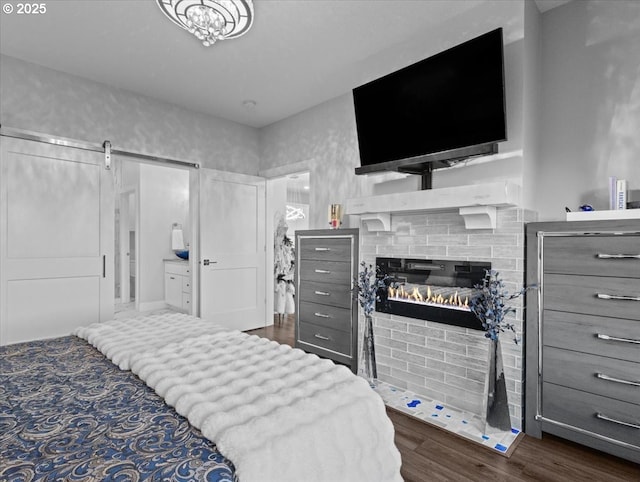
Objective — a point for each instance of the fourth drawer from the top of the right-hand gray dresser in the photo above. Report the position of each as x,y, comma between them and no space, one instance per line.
604,376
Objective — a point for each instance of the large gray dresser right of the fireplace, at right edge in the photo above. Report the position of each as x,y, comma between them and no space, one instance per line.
583,334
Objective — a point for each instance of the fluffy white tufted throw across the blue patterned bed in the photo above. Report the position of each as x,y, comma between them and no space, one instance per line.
277,413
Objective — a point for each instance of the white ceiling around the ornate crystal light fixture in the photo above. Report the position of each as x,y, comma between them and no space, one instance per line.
297,54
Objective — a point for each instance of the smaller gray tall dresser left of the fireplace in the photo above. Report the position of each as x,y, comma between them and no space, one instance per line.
326,310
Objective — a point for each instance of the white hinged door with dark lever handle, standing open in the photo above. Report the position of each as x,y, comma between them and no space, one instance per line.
232,249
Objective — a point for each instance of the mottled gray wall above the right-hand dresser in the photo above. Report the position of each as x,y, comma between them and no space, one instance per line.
590,120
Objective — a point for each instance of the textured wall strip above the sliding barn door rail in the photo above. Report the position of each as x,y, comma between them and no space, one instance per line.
44,100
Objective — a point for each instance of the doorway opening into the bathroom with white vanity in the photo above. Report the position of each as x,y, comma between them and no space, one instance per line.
150,200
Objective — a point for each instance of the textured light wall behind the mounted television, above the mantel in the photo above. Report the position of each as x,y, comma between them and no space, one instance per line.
325,135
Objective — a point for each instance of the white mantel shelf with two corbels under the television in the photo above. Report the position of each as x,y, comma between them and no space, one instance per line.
477,204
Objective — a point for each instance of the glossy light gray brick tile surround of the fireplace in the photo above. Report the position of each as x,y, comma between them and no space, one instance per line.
443,362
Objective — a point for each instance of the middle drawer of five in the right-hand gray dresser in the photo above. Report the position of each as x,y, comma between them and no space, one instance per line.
598,335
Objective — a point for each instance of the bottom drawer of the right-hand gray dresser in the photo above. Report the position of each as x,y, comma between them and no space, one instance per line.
585,411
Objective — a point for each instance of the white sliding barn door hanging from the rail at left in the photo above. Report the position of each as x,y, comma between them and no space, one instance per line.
56,240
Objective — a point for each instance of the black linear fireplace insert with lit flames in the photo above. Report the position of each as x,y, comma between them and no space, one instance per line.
433,290
